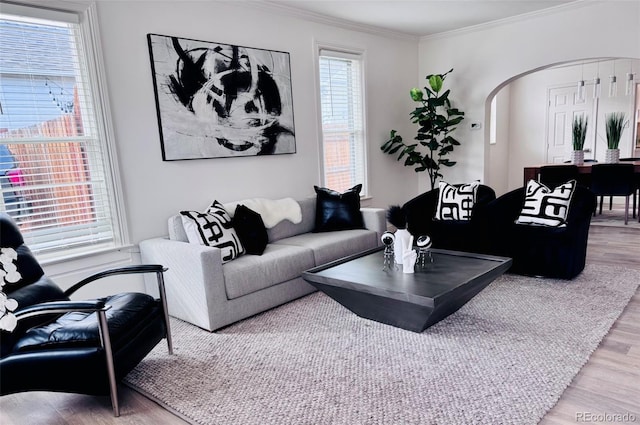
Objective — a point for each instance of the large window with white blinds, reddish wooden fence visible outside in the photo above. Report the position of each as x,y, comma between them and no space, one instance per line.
55,172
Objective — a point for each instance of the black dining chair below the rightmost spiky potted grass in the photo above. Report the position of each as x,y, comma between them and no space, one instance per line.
613,180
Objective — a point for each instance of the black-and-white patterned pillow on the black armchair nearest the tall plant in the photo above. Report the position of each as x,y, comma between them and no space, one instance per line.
456,202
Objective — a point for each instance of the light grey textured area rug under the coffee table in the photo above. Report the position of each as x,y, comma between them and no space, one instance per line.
504,358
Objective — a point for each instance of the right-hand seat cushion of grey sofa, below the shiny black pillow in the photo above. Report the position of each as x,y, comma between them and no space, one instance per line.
329,246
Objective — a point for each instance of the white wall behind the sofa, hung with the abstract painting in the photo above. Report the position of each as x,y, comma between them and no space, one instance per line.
155,190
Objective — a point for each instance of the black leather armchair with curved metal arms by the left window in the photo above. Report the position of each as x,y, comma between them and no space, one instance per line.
82,347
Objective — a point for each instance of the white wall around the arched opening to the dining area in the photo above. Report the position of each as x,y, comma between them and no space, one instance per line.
488,57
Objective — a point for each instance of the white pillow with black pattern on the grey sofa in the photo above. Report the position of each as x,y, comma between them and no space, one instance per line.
213,228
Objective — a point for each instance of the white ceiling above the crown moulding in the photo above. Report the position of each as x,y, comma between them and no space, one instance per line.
417,17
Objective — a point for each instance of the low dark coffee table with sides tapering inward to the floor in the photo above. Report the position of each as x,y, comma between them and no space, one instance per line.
411,301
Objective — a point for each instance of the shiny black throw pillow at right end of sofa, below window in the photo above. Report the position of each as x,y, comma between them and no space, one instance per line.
338,211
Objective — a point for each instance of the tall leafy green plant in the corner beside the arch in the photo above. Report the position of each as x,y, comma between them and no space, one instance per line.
436,119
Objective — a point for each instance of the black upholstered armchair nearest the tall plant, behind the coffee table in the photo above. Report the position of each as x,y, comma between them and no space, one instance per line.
467,235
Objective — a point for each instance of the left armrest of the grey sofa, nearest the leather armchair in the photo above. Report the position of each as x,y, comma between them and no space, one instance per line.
194,280
